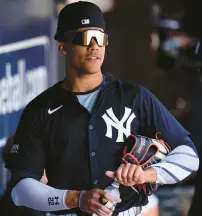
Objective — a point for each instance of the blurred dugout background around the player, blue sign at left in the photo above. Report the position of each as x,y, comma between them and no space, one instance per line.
155,43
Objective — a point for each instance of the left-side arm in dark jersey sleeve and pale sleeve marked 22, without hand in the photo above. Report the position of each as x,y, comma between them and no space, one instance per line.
26,162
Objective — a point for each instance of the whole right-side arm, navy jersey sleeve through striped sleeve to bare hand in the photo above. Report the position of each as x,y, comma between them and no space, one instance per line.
175,167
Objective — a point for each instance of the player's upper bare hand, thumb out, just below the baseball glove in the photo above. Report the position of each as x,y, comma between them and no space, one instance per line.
128,174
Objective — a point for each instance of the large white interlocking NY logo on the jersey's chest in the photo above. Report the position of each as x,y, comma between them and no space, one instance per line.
112,121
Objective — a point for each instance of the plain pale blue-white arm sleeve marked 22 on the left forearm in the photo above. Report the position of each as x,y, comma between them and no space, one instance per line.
36,195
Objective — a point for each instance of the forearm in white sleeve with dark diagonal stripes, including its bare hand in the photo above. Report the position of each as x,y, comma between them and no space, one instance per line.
178,165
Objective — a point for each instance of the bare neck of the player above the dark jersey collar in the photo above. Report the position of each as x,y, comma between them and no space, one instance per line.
76,82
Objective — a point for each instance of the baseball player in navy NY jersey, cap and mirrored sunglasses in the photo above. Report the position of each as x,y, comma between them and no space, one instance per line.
76,129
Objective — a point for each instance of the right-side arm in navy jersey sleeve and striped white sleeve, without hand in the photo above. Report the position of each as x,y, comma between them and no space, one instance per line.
176,166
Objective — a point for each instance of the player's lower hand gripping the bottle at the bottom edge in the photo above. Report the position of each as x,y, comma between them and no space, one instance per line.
90,202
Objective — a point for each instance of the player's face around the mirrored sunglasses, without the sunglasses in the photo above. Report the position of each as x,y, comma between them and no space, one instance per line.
85,59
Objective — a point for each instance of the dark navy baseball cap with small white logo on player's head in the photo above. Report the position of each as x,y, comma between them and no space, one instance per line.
77,15
